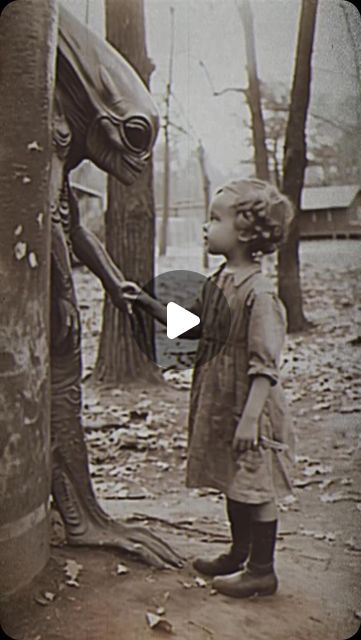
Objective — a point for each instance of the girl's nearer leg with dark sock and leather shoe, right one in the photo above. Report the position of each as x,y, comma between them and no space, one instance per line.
259,576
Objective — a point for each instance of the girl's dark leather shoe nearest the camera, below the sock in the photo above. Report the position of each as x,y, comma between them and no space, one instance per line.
247,583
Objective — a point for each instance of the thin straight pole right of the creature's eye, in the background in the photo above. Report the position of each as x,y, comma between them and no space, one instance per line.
166,169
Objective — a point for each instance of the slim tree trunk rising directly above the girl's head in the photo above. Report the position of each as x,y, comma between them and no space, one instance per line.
253,95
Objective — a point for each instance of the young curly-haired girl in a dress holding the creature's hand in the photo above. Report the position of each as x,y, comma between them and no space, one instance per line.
240,434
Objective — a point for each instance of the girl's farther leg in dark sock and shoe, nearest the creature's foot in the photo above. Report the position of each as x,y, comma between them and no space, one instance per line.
239,515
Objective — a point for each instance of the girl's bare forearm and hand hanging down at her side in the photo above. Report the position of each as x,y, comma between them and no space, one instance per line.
247,432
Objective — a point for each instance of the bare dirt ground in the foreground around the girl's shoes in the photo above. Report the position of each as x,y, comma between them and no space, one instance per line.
320,578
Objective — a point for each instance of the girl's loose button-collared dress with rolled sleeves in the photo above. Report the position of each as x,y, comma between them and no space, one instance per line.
221,385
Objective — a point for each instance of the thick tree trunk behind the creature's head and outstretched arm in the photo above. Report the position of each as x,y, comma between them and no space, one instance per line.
130,223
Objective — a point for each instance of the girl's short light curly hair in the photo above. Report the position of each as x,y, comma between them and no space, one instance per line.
268,212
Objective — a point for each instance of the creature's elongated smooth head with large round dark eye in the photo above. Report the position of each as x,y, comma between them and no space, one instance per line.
112,116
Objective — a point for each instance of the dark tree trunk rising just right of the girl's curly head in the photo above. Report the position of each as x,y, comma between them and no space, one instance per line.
295,159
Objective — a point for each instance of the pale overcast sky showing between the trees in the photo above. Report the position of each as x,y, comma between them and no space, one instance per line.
210,30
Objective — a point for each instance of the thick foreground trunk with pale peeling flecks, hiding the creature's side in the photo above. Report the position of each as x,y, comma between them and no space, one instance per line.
28,38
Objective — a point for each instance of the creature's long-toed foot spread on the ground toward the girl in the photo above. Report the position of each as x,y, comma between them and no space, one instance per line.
135,540
